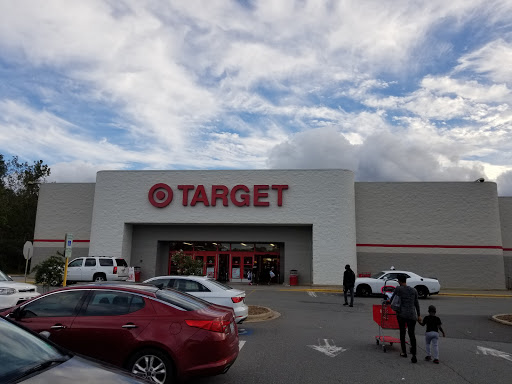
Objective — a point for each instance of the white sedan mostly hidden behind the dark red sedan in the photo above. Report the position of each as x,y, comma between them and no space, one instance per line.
206,289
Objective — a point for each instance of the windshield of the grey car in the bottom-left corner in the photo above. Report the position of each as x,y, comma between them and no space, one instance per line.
23,353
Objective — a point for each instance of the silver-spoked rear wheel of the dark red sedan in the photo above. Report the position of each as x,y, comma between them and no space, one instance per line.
152,365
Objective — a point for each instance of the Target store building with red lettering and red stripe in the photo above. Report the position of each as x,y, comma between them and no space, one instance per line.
309,222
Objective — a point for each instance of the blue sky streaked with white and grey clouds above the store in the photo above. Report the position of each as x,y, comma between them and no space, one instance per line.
393,90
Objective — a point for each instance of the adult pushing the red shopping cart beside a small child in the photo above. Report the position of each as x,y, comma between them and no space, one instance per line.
408,314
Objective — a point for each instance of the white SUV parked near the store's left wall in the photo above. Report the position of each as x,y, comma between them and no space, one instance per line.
97,268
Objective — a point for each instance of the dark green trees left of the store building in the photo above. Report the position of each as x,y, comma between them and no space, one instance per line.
19,189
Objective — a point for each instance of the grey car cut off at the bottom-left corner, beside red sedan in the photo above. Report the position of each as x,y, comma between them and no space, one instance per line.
30,358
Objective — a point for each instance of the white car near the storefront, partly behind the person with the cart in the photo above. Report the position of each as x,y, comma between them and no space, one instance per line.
425,286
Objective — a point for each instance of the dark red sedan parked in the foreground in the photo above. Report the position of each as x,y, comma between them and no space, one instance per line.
158,334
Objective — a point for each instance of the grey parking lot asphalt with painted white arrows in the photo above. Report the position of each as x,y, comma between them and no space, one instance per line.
317,339
